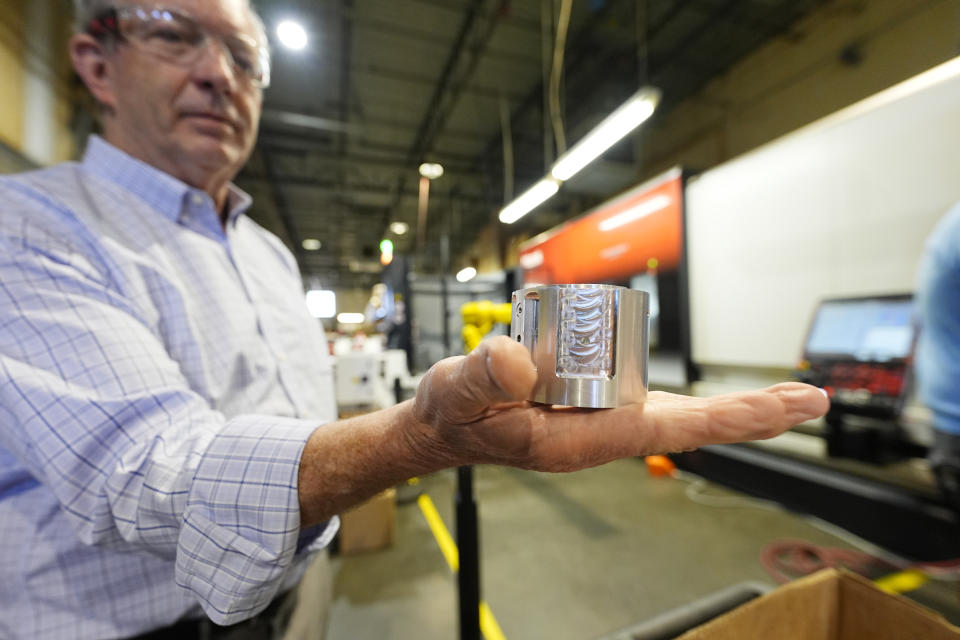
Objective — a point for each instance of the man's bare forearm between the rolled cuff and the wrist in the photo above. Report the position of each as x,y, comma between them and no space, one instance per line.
348,461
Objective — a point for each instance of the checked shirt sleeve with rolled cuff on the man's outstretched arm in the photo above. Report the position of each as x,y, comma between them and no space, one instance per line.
93,407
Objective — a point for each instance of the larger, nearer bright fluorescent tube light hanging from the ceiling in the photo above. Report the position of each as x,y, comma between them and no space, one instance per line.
611,130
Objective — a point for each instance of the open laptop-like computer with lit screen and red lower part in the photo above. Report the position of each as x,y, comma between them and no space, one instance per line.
860,351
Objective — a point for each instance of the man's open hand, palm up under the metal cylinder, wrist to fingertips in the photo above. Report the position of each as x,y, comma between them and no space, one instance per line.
472,410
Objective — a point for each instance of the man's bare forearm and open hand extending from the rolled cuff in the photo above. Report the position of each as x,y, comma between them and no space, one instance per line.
472,410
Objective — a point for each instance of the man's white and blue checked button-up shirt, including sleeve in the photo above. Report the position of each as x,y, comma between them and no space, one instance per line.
159,377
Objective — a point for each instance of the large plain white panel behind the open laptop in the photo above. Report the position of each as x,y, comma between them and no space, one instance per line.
841,207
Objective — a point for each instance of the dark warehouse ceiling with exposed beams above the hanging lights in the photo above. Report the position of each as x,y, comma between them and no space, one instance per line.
387,84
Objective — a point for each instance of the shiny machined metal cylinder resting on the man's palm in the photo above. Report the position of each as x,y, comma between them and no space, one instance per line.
589,342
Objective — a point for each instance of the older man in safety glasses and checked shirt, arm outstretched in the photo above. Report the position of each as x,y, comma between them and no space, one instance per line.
162,389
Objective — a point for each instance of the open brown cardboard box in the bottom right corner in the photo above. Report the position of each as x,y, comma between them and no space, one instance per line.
828,605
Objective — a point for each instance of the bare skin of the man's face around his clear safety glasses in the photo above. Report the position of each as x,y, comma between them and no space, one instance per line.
193,121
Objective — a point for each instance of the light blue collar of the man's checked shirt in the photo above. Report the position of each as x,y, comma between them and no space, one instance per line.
162,191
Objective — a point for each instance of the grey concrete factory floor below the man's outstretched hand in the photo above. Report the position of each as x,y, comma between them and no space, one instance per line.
570,556
